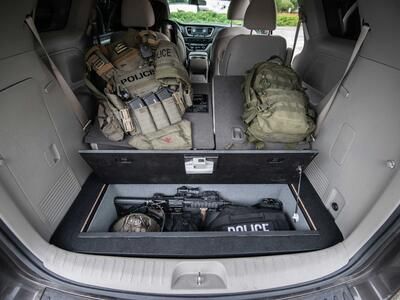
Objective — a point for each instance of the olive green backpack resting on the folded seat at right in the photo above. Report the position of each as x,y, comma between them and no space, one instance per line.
276,106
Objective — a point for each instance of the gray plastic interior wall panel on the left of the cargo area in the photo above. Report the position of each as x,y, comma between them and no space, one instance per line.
39,137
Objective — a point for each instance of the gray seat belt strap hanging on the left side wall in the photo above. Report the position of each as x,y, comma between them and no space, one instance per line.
76,106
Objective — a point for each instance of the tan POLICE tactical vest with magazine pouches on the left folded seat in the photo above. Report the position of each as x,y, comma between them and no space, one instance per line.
147,91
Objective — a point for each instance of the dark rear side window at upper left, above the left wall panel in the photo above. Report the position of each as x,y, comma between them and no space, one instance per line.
52,15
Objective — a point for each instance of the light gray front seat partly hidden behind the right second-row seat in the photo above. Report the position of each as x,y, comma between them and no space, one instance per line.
236,11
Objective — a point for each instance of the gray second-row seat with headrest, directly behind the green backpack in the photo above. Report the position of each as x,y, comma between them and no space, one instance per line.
244,51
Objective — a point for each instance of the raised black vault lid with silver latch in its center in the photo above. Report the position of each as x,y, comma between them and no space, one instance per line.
191,167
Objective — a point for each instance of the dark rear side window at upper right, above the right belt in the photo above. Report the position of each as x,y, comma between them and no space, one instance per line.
342,18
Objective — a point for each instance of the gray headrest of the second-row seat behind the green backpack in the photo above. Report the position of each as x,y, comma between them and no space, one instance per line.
261,14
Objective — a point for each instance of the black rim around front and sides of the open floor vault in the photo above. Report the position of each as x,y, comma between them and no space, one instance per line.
193,244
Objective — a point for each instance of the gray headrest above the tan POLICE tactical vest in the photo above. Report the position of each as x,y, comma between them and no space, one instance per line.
137,13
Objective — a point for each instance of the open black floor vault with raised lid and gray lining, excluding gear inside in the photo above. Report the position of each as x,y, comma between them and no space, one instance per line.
242,177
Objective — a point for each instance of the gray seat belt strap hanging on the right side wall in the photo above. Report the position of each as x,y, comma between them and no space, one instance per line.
324,112
